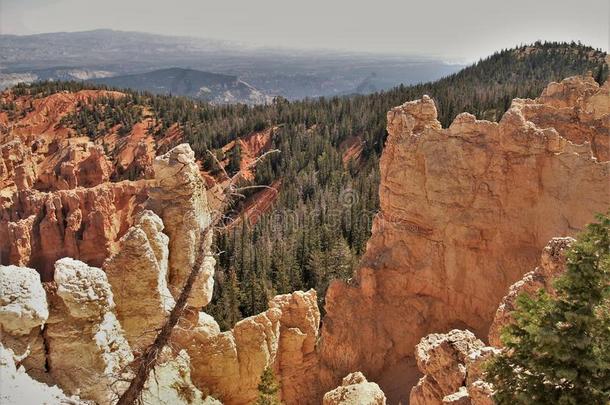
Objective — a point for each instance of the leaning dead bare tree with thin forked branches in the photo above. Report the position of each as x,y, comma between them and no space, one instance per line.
149,358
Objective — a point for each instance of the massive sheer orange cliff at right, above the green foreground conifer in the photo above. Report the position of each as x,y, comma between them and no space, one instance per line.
464,213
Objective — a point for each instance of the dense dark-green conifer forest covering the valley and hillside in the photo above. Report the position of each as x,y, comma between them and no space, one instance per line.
327,166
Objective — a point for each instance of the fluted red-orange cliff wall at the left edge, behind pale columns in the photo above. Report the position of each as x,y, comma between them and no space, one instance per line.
37,228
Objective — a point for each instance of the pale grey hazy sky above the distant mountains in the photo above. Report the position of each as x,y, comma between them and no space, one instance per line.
452,29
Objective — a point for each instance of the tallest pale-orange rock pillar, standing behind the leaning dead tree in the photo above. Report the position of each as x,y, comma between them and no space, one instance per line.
180,200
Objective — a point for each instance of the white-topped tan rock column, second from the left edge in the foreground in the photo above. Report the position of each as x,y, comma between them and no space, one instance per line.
89,354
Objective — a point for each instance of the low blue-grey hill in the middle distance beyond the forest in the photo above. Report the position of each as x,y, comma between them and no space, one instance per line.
212,87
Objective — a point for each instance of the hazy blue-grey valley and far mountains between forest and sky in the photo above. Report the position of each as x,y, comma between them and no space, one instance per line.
140,60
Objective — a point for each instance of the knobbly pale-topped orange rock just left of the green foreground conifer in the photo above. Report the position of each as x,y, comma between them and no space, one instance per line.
452,367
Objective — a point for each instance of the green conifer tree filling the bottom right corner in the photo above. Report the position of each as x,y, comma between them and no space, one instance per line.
558,349
